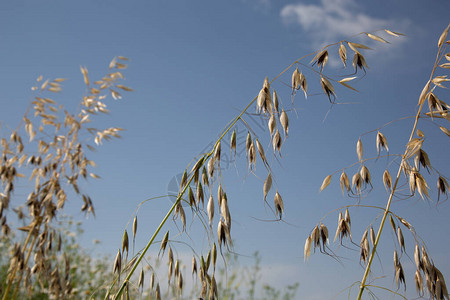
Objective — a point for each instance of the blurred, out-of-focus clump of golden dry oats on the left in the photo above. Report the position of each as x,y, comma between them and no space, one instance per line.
46,156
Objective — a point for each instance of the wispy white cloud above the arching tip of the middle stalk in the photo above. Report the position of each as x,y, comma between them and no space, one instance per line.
334,19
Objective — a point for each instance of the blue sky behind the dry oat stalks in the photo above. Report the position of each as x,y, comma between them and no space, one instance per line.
193,66
